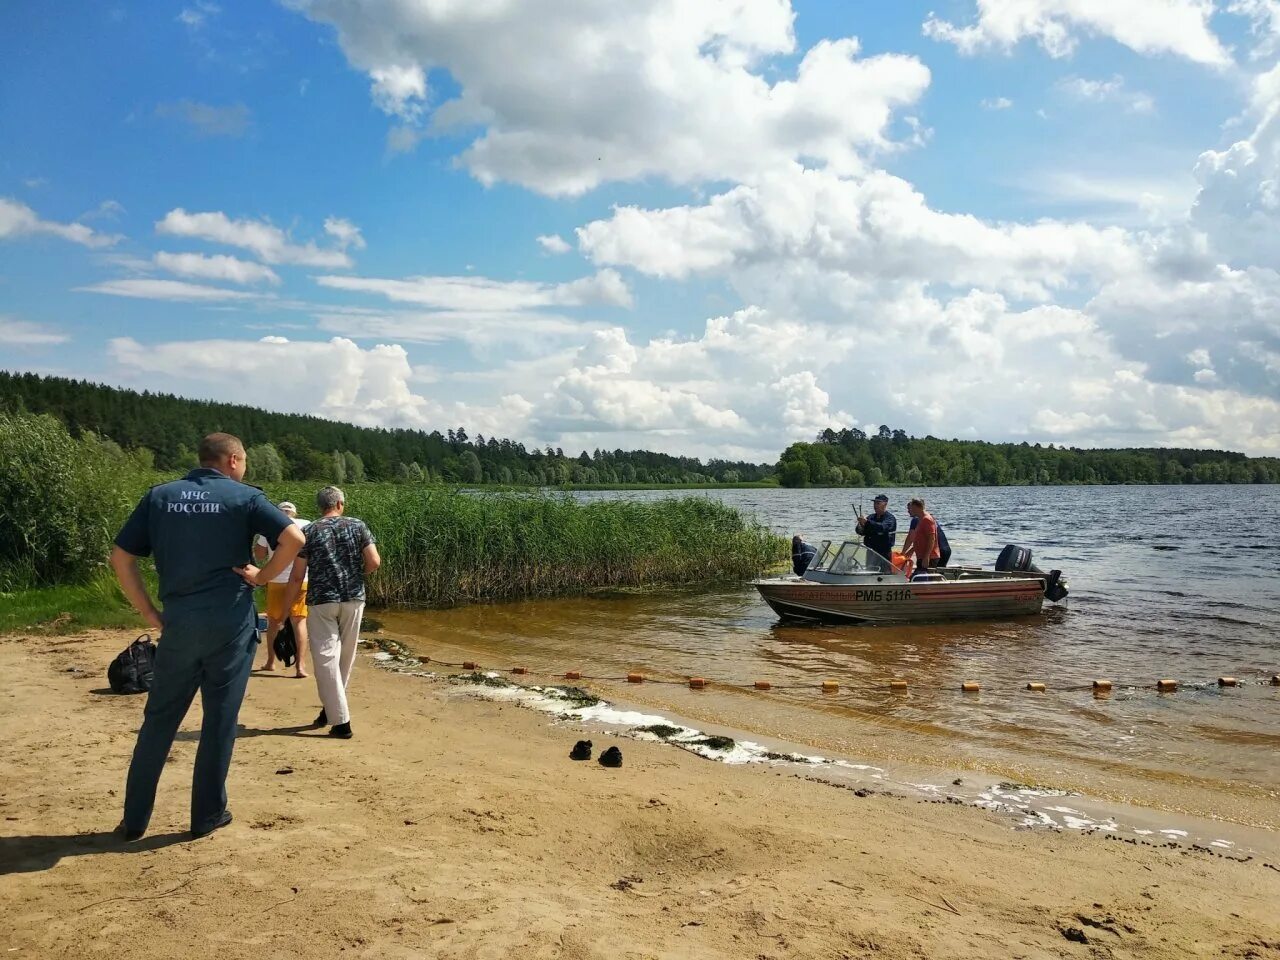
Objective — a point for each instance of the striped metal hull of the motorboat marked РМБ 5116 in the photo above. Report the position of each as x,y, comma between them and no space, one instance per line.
903,602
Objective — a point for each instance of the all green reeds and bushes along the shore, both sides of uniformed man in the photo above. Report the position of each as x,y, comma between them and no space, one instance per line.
65,499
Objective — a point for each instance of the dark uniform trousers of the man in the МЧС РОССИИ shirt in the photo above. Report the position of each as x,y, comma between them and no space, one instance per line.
207,651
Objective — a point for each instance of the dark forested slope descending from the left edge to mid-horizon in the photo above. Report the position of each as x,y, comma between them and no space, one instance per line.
295,447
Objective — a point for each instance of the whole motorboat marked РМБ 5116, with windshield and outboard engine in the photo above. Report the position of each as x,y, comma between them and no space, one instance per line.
849,583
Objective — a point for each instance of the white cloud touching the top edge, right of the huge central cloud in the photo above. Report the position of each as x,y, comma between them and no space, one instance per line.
1180,28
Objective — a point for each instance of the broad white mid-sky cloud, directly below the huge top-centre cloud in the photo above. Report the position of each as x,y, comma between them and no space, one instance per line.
866,232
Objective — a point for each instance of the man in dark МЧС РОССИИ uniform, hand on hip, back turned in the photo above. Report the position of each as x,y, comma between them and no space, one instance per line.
200,531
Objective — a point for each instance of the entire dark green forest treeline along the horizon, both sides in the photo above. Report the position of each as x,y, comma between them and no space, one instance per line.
161,432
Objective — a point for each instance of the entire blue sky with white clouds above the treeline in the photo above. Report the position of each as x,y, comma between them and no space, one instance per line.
708,230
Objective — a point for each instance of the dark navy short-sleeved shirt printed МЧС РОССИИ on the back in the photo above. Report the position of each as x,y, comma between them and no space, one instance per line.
199,528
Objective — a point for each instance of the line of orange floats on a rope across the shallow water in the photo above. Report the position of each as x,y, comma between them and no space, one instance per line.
895,685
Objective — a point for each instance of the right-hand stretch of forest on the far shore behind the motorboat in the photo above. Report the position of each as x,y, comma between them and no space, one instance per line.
892,458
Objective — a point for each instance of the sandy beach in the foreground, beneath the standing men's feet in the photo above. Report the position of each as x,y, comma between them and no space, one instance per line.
460,829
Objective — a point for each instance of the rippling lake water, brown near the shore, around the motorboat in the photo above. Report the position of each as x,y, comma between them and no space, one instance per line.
1176,583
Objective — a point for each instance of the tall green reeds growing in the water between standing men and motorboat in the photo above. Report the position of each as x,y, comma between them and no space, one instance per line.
445,547
